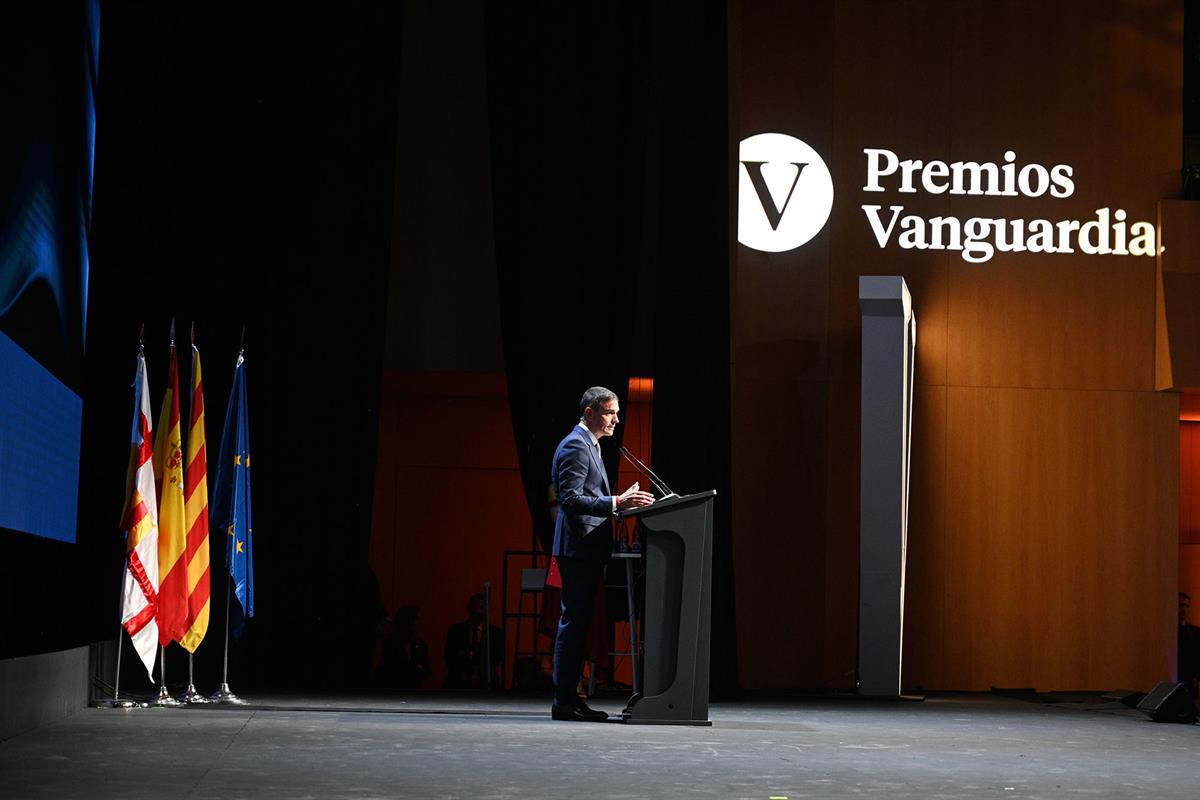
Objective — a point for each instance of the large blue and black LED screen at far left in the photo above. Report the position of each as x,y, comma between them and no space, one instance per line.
49,81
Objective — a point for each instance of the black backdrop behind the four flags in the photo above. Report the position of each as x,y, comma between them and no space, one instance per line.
244,177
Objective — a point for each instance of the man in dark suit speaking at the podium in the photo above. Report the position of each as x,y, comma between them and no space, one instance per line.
584,540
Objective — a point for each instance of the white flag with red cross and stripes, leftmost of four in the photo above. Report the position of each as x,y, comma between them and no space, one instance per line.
140,587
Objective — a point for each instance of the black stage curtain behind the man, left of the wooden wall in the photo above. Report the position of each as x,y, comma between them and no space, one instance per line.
611,184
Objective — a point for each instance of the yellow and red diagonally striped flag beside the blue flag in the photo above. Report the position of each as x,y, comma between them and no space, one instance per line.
196,515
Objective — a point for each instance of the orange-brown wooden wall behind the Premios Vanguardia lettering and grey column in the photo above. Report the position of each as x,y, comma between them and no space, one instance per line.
1046,473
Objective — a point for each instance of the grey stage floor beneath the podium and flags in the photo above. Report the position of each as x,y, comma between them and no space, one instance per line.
485,747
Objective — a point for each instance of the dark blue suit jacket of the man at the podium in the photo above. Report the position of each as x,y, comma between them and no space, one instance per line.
584,528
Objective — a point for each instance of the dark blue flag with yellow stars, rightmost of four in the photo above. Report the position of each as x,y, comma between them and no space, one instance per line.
231,502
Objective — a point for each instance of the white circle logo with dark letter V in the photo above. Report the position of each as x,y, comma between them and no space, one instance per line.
785,193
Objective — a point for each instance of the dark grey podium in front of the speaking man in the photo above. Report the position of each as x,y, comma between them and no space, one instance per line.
677,561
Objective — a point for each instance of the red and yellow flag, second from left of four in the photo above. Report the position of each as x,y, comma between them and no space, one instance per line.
169,464
